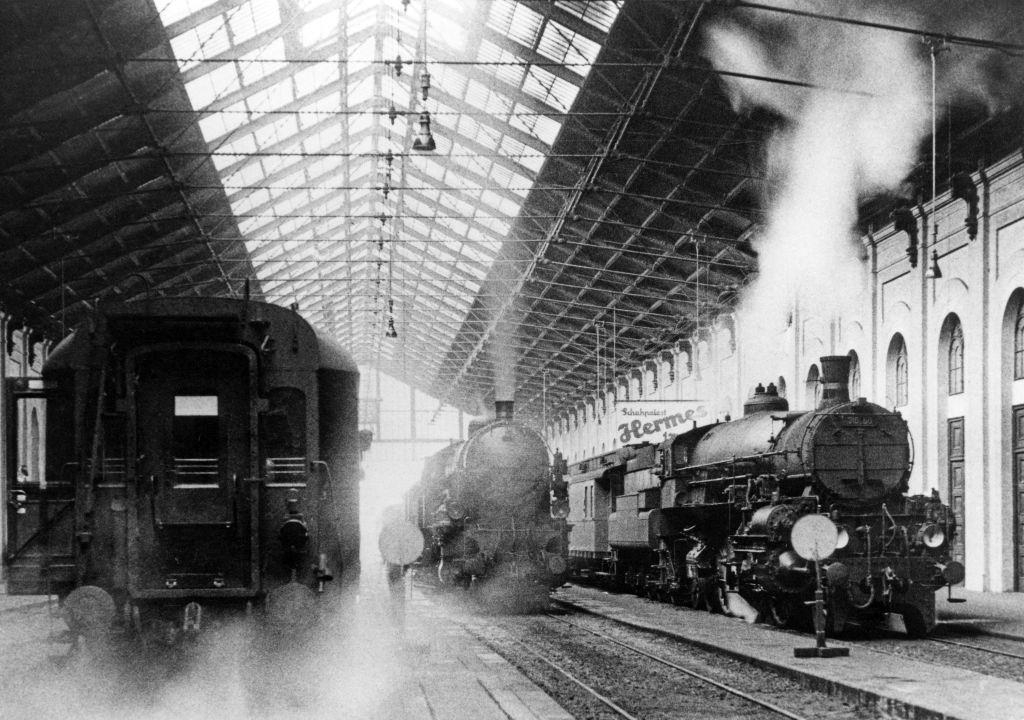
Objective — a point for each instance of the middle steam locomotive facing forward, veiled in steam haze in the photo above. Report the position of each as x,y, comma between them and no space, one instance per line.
492,511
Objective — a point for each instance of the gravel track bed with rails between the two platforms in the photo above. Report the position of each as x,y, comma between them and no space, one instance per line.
641,686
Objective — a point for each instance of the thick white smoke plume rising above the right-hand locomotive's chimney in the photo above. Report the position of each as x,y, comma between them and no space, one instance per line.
857,134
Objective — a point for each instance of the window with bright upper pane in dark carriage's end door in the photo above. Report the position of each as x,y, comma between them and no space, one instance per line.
196,436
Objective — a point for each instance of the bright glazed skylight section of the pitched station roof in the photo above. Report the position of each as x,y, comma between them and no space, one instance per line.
312,109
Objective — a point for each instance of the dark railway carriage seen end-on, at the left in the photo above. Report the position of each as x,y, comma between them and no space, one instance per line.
187,455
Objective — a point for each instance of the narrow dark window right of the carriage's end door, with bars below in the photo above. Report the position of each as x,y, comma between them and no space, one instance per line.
283,435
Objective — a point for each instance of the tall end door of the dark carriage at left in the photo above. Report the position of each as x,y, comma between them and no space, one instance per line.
193,426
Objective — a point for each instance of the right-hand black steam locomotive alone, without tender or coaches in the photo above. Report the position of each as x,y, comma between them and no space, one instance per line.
743,486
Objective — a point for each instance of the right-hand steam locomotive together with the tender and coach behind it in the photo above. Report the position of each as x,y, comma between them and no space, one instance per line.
708,515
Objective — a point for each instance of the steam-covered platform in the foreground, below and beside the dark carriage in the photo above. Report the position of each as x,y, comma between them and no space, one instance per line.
420,667
